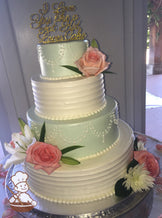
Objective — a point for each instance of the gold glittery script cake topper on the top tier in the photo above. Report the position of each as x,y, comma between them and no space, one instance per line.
58,28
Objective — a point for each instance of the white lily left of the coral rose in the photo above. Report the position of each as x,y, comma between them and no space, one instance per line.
18,146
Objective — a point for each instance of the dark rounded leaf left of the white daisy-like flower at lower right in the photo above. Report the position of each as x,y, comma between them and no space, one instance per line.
120,189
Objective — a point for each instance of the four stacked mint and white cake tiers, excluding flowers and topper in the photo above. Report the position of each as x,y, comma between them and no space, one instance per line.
76,111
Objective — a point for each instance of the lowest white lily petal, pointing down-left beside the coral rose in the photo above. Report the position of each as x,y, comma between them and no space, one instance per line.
16,158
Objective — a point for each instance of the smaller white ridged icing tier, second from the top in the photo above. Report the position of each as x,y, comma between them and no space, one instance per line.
68,99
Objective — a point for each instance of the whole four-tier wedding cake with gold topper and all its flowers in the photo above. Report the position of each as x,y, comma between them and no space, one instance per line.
76,151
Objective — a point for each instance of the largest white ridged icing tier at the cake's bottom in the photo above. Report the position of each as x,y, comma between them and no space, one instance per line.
92,180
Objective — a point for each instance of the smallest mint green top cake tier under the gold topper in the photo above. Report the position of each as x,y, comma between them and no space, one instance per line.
53,56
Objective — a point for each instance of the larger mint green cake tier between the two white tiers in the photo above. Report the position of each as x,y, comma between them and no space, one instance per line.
97,133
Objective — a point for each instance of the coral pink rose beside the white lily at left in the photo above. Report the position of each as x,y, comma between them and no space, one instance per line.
44,156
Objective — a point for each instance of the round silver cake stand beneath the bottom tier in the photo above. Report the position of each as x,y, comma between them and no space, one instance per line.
135,205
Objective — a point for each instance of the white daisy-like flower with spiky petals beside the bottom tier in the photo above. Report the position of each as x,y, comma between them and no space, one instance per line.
138,179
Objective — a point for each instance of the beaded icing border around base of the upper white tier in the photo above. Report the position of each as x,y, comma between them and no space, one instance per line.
71,118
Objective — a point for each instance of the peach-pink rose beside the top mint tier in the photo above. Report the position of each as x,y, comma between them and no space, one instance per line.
92,62
